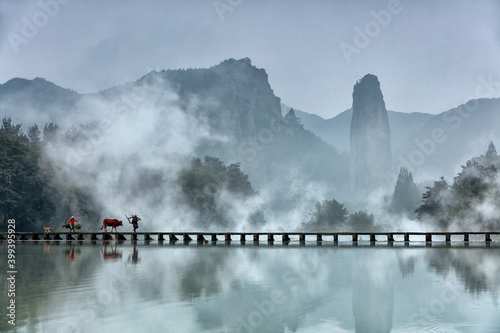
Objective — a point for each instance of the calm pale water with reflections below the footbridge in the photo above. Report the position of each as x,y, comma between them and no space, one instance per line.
72,287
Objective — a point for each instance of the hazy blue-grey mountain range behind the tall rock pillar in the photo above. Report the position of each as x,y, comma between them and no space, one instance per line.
235,101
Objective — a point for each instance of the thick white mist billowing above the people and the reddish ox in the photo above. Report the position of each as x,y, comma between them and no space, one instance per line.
131,159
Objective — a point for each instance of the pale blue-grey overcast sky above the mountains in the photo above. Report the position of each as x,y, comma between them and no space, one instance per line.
429,56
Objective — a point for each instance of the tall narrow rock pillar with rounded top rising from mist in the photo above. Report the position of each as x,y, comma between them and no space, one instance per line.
370,137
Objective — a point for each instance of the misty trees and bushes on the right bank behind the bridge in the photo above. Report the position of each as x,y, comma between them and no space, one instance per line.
470,202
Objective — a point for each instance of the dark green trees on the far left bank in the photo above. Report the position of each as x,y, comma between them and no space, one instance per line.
28,190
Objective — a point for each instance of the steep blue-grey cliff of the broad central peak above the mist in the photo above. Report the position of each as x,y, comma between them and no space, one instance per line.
234,97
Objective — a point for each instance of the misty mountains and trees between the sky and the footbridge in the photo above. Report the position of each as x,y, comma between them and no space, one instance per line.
215,149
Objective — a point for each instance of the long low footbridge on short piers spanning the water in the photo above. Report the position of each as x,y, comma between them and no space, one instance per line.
256,237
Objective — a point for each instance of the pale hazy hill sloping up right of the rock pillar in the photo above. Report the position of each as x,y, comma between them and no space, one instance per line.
449,139
